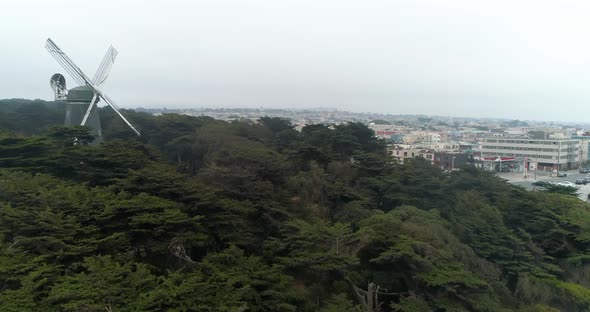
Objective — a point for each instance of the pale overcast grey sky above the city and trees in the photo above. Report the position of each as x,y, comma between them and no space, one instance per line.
512,59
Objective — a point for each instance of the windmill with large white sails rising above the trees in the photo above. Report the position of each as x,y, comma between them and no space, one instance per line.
81,101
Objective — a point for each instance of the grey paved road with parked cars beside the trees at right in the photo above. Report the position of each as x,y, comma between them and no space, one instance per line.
572,176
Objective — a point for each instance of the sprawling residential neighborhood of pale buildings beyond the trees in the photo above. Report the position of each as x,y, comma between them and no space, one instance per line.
496,145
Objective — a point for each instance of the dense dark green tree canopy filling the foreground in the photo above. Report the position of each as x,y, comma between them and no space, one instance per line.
203,215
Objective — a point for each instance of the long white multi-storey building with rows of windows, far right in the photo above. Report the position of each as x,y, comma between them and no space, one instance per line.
546,154
